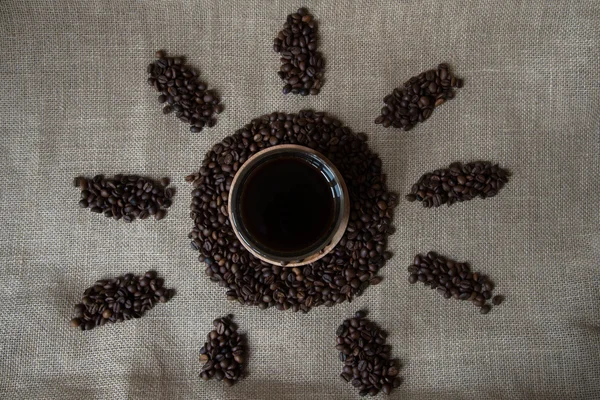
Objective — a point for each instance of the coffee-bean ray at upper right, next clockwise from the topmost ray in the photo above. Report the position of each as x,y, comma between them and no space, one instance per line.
416,100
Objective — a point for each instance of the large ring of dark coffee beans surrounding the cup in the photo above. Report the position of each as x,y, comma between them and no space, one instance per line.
339,276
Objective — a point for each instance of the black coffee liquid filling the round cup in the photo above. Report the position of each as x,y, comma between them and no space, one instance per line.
287,205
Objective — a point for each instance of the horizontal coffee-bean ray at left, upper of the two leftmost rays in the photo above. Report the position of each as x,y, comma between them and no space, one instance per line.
125,196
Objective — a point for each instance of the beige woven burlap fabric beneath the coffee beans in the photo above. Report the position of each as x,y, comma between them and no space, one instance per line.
74,100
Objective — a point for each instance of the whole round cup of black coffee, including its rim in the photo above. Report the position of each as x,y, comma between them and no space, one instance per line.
288,205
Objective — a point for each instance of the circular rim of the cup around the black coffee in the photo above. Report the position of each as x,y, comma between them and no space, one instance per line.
342,217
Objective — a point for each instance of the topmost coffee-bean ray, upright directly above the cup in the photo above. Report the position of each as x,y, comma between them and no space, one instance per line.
301,65
